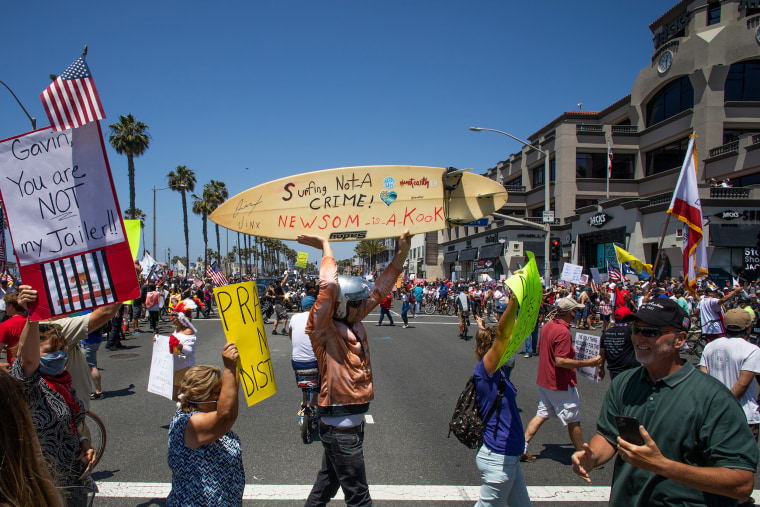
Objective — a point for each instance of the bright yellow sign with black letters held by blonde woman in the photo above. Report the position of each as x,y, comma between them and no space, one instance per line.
240,310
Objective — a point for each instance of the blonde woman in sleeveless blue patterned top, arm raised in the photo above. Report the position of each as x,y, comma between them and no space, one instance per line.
204,452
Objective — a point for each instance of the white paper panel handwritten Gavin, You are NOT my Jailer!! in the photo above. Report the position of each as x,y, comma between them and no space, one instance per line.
54,195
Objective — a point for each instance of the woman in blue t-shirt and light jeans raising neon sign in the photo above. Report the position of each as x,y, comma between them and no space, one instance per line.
498,459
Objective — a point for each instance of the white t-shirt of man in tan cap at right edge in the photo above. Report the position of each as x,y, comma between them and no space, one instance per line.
724,359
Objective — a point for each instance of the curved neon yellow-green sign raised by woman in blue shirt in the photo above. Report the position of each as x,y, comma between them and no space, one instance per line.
527,288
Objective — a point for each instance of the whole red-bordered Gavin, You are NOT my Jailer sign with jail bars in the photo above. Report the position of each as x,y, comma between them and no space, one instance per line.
64,220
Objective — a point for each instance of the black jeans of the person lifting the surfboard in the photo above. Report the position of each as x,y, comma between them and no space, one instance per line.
342,466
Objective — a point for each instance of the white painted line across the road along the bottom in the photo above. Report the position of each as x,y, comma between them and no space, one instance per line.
575,494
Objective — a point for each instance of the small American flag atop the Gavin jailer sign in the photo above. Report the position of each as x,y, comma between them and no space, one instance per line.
72,99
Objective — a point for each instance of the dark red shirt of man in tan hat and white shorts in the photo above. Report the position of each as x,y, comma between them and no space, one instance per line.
556,342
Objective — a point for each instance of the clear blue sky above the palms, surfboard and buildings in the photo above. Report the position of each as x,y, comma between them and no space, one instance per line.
247,92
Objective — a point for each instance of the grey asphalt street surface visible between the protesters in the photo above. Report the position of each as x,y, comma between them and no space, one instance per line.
419,373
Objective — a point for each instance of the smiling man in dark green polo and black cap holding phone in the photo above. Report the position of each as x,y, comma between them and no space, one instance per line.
698,449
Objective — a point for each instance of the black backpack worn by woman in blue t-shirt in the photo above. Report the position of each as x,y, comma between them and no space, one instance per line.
466,423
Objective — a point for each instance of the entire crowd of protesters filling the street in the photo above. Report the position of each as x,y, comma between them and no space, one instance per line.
706,456
